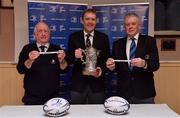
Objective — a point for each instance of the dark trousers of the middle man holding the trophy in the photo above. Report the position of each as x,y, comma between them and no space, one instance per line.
87,97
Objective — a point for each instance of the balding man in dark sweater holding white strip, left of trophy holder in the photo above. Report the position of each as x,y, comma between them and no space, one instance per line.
41,79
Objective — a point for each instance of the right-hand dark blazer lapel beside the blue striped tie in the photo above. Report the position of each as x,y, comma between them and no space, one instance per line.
140,46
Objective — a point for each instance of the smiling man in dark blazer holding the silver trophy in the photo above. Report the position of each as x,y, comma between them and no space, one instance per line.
87,88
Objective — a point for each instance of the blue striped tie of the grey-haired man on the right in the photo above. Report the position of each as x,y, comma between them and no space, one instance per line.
132,51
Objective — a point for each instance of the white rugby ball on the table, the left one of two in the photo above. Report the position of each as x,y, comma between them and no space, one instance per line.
56,107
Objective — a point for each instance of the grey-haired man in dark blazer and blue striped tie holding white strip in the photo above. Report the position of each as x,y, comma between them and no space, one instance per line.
139,59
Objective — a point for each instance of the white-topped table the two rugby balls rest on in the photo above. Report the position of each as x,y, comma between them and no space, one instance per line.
91,111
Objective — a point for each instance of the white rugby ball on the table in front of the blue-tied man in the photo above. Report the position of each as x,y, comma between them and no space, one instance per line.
116,105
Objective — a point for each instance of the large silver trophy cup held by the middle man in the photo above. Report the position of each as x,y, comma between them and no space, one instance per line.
91,55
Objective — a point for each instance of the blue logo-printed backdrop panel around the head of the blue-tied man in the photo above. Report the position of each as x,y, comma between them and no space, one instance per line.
110,19
